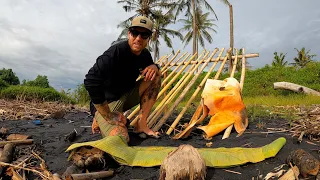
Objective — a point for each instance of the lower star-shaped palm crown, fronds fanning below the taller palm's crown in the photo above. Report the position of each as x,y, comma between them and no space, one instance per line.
201,29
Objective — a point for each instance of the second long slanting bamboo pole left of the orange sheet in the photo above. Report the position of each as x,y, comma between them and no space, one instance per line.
184,92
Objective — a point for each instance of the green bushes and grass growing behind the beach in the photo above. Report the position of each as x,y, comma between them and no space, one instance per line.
258,93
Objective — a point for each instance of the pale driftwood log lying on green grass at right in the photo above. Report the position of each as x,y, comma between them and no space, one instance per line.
295,88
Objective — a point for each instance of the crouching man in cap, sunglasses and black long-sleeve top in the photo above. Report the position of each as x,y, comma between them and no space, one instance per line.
112,85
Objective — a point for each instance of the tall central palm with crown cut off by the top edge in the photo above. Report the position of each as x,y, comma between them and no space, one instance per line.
191,6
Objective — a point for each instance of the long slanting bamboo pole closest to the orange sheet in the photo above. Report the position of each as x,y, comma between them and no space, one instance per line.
200,86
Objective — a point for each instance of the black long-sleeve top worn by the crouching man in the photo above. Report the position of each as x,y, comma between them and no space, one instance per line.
115,72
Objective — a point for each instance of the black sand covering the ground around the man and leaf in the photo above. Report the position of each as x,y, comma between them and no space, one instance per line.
50,138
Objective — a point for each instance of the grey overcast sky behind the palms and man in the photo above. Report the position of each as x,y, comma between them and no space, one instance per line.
62,39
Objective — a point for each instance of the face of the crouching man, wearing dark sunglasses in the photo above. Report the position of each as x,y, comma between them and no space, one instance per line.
138,39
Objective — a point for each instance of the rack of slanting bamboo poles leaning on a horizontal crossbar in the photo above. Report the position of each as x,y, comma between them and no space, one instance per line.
172,98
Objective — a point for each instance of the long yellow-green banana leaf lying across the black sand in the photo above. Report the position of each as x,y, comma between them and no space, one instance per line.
154,155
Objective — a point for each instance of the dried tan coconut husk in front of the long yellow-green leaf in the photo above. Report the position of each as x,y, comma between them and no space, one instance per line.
183,163
